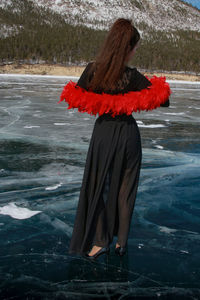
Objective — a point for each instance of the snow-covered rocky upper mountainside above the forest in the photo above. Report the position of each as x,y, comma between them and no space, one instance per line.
162,15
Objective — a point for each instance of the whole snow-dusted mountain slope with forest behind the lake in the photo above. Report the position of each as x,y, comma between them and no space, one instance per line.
71,31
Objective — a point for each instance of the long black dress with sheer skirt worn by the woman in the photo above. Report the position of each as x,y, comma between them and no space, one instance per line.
111,174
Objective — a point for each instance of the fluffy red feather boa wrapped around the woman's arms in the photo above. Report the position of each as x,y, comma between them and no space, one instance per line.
93,103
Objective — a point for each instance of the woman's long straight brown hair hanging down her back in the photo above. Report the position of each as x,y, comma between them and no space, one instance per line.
110,62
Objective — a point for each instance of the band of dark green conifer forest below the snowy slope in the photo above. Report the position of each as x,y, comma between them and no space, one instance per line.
43,35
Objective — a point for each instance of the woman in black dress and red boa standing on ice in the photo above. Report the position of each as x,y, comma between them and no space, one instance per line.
110,181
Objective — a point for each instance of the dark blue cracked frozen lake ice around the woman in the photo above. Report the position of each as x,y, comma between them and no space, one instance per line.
43,148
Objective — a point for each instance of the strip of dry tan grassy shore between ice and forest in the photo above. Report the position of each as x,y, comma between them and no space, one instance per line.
76,71
